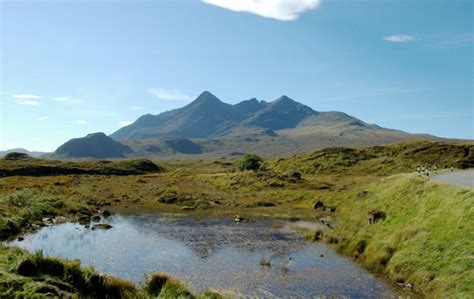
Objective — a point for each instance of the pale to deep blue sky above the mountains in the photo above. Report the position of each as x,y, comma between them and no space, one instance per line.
73,67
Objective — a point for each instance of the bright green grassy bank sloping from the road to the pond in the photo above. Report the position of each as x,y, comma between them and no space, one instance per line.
425,239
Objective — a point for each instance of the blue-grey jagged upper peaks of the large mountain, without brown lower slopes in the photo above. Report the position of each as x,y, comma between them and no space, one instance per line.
207,116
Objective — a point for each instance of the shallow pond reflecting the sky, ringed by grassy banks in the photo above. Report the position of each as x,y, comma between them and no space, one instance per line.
211,253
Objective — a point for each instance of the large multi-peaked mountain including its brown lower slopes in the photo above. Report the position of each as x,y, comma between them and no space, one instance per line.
281,127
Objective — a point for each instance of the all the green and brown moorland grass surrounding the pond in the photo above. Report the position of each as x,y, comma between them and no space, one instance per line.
425,239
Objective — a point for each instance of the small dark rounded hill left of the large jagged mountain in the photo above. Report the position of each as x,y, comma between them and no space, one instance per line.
96,145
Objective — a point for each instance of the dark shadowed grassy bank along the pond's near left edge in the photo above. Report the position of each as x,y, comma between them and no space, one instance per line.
24,275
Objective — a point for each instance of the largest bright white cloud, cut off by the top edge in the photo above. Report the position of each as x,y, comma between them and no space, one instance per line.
282,10
